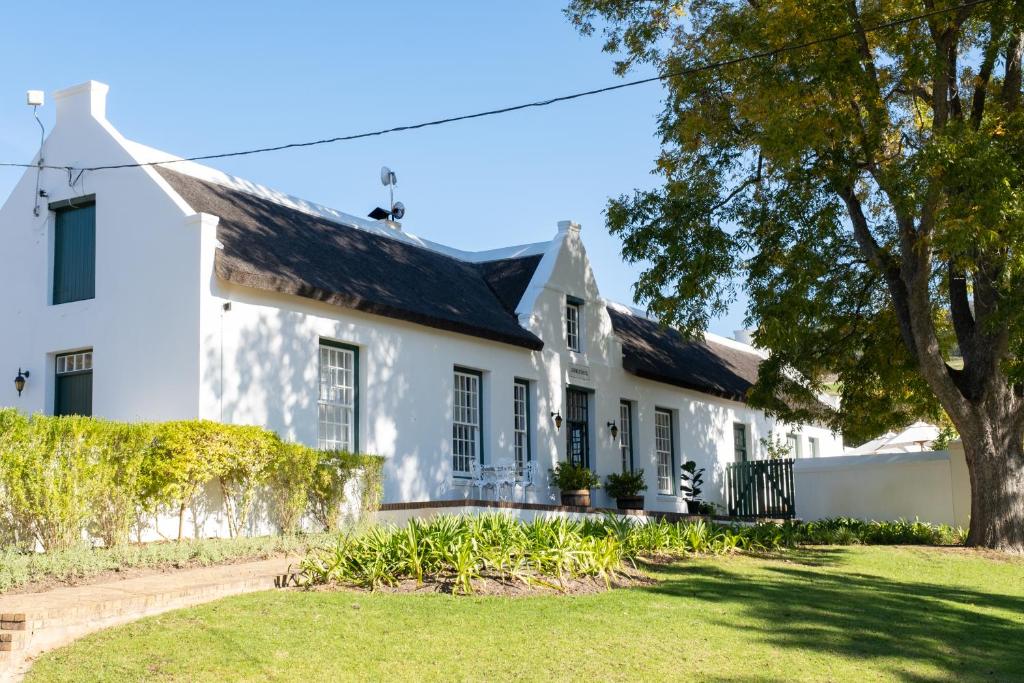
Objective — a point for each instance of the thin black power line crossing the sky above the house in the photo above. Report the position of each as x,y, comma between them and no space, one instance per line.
541,103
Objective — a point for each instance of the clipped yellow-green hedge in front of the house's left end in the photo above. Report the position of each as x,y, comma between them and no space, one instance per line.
67,479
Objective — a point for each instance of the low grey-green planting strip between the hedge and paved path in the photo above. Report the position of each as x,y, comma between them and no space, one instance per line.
21,570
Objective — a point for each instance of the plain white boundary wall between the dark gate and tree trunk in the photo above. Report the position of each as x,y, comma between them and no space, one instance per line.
932,487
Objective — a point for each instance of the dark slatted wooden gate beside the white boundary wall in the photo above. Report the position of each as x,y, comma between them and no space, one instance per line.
761,489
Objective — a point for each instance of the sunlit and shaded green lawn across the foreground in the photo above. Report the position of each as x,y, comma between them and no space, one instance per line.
860,614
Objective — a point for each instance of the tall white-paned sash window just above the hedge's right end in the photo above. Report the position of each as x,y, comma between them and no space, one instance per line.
338,404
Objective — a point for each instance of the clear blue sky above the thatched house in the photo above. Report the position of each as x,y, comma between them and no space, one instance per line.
207,77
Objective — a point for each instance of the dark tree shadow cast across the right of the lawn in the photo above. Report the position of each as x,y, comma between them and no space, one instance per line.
864,617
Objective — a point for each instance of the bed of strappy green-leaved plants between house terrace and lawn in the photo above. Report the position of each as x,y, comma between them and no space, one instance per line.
460,550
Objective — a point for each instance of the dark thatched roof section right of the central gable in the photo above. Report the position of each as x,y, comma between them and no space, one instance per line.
663,355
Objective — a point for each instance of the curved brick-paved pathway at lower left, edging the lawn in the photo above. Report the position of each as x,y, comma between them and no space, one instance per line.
34,623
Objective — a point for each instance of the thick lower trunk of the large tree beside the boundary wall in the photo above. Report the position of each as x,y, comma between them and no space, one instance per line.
996,461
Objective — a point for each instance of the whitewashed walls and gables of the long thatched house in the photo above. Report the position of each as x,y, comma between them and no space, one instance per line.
165,349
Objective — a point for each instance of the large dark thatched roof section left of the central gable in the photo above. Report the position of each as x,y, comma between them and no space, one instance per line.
273,247
